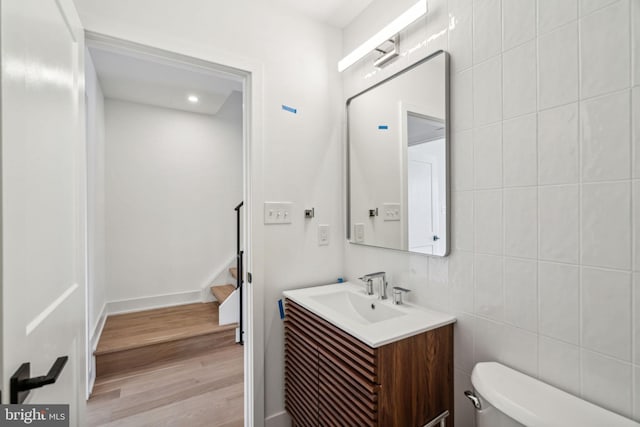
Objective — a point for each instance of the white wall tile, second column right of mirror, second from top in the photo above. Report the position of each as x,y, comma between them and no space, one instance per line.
487,92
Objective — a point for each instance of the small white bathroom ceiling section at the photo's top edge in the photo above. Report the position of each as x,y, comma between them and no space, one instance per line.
337,13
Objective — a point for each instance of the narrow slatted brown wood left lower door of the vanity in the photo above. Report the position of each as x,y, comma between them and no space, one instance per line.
301,376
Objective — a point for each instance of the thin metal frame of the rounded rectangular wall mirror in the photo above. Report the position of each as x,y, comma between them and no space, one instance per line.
447,161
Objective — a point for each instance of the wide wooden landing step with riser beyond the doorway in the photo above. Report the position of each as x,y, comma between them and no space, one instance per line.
138,340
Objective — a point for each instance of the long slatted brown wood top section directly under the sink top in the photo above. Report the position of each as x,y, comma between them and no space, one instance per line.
335,343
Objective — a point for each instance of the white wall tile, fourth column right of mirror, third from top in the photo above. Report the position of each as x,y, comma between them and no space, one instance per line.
558,145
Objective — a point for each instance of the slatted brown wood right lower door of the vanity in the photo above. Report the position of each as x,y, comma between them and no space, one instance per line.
343,400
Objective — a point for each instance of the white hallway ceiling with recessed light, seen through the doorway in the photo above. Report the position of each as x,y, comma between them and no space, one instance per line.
152,81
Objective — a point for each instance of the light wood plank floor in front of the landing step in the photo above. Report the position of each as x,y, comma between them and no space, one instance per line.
205,390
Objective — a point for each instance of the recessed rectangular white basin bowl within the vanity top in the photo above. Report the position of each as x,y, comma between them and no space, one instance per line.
362,309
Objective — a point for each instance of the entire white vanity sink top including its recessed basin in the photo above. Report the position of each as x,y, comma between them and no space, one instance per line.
372,321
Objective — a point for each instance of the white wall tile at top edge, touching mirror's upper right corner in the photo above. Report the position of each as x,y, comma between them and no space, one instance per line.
460,34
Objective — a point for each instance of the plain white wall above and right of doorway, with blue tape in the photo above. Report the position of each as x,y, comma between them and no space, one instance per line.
301,157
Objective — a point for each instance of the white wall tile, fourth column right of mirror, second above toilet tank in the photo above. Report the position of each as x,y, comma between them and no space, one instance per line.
559,293
